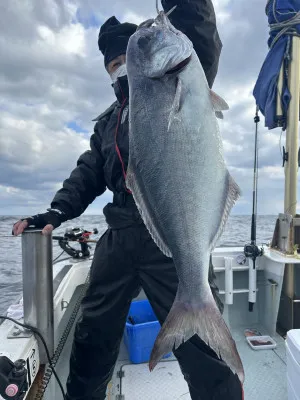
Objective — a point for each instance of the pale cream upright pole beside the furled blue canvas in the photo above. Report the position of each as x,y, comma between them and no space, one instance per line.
291,166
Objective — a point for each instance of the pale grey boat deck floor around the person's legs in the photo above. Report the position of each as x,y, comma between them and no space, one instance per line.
265,372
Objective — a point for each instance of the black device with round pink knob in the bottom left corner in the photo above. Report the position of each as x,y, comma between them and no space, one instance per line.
13,379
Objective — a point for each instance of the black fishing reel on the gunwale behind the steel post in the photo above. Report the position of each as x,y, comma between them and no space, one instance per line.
78,235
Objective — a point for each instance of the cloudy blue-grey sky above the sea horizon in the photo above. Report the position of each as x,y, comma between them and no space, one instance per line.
53,83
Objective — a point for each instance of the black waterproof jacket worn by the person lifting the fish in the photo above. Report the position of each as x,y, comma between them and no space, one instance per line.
104,165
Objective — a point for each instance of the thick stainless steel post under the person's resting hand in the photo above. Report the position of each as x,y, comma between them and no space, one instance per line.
38,286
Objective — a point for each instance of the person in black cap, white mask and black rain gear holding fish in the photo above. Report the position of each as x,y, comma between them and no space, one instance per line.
126,258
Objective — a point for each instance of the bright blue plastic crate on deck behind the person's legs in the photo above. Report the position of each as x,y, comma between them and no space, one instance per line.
139,337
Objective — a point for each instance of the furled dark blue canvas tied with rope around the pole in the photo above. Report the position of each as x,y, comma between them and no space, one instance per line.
284,22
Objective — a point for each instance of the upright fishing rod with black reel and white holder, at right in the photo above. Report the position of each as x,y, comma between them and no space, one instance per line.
251,250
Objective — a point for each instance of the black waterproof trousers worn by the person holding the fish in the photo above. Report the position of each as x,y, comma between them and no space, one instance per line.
126,260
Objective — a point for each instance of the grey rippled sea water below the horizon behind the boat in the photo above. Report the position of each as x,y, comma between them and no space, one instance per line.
237,233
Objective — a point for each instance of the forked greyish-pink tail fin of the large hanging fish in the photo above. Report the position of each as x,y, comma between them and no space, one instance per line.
187,318
